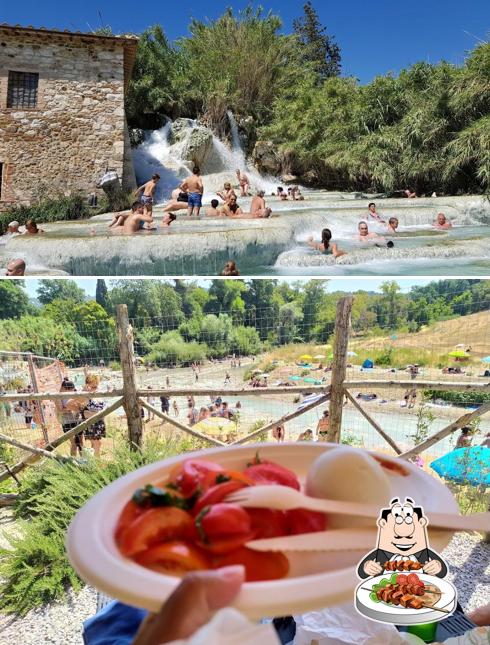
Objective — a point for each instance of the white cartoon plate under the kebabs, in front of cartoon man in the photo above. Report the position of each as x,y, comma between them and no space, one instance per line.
401,615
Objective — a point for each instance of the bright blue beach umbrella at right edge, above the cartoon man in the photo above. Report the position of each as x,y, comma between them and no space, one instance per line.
465,466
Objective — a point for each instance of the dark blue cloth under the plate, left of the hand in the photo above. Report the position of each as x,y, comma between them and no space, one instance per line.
116,624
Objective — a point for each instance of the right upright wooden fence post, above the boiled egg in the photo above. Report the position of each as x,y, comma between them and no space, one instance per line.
341,340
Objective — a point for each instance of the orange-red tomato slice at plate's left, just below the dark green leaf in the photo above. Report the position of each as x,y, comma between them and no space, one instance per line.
154,526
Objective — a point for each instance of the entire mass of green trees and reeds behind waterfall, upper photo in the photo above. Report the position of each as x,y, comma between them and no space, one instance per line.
427,128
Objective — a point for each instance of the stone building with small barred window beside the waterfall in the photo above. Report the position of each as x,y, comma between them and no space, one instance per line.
62,119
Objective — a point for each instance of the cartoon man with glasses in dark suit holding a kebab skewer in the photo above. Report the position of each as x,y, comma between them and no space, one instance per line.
402,544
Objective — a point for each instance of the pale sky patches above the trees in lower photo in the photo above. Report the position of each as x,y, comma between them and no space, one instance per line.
335,284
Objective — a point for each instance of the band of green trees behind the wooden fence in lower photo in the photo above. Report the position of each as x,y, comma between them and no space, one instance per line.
177,323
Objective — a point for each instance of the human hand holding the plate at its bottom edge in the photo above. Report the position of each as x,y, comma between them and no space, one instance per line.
191,605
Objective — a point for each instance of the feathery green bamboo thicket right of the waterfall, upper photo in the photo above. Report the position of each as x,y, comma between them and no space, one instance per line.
427,129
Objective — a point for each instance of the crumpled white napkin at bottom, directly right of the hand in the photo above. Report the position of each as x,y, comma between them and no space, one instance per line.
230,627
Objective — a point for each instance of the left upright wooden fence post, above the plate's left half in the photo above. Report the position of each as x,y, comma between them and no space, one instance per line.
130,395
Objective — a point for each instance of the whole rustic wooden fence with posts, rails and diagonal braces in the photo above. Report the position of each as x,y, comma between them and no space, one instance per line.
133,399
